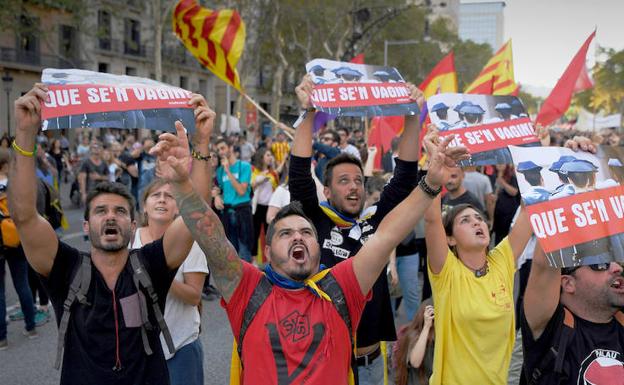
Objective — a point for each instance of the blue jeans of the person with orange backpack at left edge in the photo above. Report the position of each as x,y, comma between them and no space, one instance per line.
18,267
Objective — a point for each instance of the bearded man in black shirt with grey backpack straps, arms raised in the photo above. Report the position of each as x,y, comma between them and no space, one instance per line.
111,335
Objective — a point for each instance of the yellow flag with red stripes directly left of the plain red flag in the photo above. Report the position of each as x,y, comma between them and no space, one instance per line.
497,77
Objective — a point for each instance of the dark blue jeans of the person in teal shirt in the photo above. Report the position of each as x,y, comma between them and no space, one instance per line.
238,223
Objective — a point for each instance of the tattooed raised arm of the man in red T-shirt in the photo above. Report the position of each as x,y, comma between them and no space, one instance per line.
204,225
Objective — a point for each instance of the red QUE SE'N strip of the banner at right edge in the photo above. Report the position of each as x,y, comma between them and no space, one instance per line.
578,218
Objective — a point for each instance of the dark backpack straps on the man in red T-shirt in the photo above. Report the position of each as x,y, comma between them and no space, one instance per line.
328,284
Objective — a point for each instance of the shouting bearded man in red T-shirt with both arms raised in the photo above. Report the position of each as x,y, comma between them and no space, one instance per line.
300,330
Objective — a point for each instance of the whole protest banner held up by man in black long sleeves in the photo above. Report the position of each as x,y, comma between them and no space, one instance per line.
350,89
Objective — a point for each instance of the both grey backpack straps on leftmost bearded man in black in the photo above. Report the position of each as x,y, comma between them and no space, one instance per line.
80,286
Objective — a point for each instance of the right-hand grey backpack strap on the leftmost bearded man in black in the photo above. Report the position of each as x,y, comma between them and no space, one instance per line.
141,278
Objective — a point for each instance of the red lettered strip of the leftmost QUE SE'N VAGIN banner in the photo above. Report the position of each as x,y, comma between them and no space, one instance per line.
64,100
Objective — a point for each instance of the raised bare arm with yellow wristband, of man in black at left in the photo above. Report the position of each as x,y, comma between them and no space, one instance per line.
37,236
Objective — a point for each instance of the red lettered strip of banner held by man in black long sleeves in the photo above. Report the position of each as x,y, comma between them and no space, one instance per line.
359,94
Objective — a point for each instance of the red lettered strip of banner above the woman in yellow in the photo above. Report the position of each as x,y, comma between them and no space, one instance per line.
493,136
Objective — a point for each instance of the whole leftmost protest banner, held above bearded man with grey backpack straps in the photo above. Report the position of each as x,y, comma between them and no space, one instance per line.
79,98
